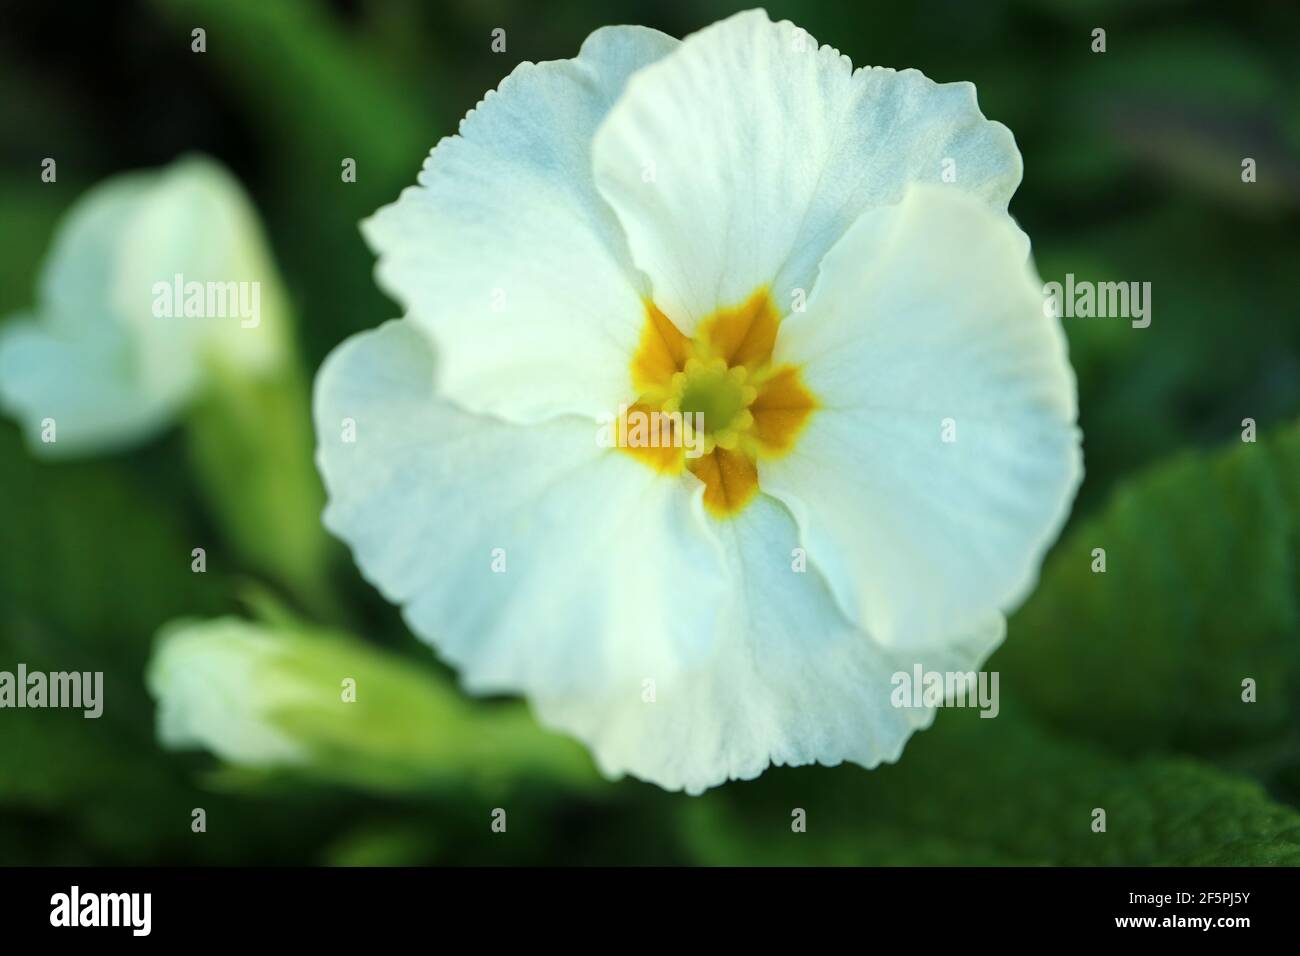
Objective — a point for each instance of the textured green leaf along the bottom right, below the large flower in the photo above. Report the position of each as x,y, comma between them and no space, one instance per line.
996,791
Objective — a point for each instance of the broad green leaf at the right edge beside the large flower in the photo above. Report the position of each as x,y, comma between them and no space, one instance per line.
1201,592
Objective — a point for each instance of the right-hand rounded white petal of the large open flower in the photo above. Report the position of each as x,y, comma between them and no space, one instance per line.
924,313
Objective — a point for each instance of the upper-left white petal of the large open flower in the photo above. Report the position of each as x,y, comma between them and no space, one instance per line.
506,252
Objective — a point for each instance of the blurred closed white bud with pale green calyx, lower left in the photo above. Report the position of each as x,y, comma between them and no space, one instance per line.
284,695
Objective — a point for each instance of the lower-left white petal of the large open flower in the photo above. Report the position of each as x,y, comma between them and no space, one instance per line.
609,573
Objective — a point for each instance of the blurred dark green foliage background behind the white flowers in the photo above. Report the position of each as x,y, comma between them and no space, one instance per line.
1120,691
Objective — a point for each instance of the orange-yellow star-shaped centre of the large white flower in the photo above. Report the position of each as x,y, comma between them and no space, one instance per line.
725,379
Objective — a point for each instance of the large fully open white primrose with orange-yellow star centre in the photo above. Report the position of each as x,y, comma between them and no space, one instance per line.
816,262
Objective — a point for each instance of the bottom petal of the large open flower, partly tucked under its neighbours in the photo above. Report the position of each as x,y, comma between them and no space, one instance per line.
791,681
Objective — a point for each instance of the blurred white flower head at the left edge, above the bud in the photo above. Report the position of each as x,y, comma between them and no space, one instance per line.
153,276
